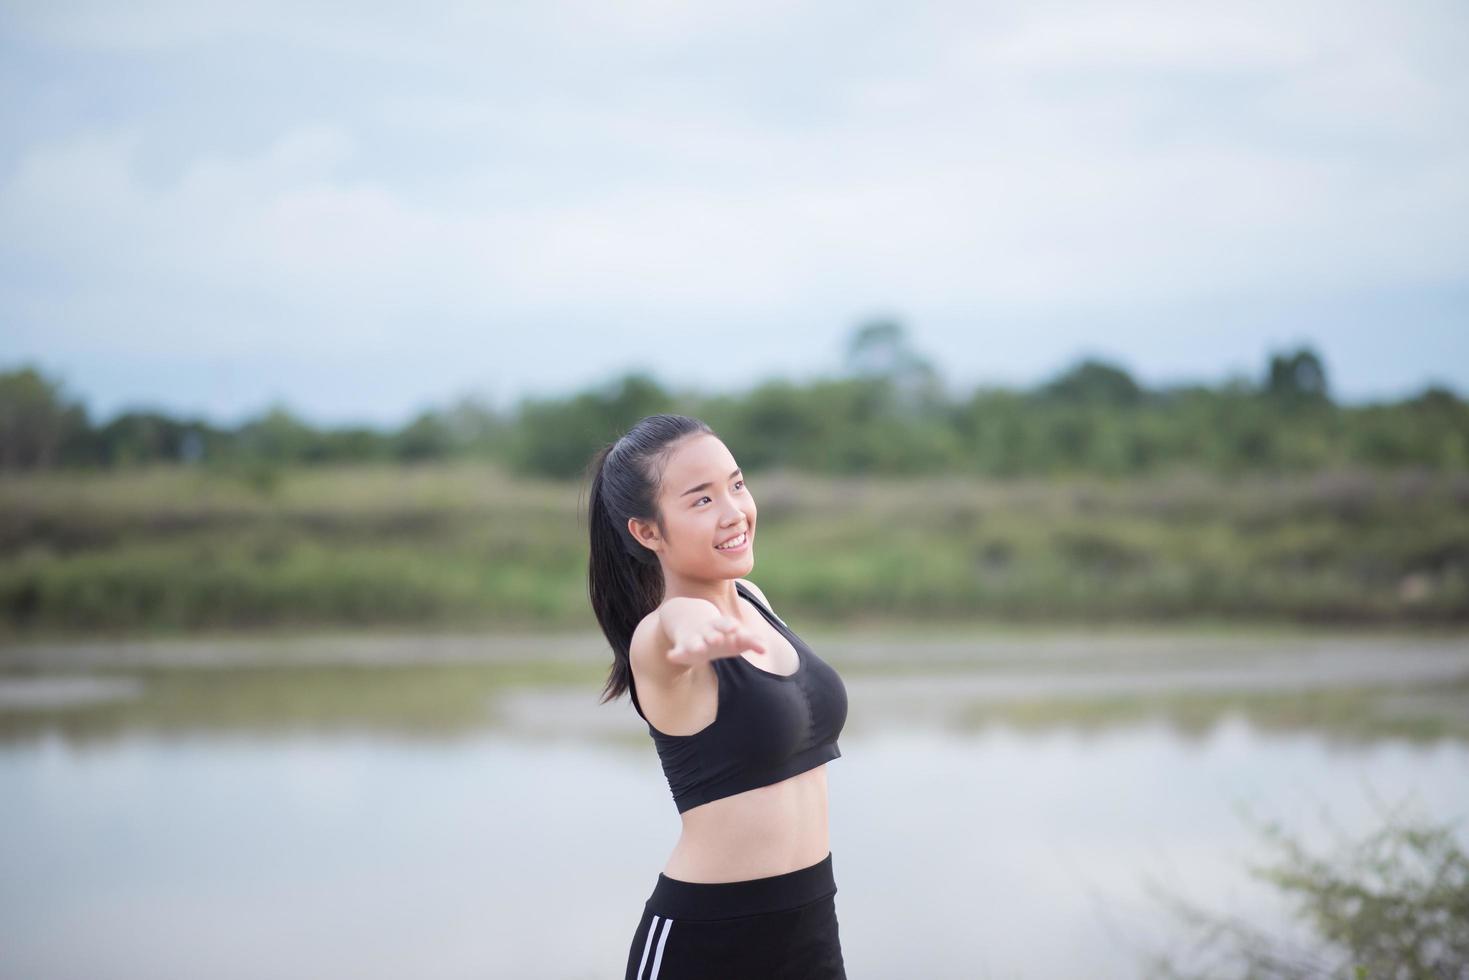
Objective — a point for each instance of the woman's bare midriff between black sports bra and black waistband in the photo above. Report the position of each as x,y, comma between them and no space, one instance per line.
753,835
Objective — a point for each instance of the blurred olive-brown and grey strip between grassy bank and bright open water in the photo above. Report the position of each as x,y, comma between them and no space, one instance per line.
1358,685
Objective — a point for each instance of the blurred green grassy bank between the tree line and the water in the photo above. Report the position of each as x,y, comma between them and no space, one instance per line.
259,544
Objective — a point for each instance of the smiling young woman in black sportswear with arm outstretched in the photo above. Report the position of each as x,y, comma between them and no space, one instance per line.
743,713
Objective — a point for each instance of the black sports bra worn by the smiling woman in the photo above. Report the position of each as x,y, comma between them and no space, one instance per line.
768,727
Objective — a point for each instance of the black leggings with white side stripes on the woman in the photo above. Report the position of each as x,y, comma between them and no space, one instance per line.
782,928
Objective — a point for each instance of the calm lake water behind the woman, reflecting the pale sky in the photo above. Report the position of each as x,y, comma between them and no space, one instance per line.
459,819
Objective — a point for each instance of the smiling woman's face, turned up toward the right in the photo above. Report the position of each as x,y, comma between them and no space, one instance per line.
704,503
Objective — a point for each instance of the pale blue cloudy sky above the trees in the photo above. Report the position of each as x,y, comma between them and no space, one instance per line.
362,212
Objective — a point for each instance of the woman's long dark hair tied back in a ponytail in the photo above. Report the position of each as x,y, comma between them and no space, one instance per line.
624,578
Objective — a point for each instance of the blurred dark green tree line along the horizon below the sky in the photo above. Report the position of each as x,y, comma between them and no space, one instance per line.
887,412
